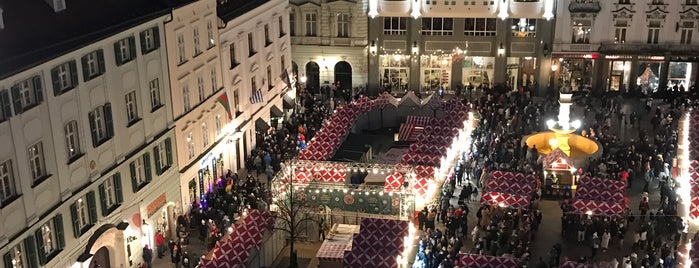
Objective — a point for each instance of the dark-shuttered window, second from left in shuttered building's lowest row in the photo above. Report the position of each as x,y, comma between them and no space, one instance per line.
49,239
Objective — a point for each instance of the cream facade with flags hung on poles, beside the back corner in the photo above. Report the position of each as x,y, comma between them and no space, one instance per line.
256,59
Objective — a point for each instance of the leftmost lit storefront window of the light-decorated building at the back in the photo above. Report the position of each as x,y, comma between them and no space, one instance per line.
394,70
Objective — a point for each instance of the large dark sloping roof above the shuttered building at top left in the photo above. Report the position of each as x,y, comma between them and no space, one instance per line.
34,33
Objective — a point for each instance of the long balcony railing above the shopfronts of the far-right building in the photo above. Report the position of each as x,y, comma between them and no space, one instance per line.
653,49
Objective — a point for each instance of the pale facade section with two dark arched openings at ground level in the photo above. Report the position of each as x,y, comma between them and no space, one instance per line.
329,43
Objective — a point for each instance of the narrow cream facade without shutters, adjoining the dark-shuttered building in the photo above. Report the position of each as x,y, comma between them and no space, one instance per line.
198,97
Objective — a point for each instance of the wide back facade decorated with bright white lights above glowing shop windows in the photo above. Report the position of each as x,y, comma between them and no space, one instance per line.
425,46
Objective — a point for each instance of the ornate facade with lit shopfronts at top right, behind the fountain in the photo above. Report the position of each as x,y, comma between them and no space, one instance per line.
620,45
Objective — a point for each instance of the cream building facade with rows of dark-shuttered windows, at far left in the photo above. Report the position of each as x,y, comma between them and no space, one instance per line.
88,156
